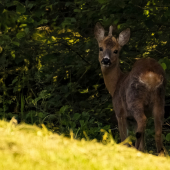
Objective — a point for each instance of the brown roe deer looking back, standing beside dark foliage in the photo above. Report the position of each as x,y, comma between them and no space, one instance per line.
136,93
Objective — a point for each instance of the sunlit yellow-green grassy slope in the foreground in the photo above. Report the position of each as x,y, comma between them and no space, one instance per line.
27,147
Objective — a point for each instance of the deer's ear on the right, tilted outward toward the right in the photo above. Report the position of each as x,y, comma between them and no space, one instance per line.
124,37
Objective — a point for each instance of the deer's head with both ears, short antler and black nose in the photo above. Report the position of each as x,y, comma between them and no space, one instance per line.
109,46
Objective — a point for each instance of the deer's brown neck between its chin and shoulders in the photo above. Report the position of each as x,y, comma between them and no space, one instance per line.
111,78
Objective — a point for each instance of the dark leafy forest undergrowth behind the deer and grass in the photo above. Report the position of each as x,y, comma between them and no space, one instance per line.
49,69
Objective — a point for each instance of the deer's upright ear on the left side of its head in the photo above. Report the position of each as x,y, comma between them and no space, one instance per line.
99,32
